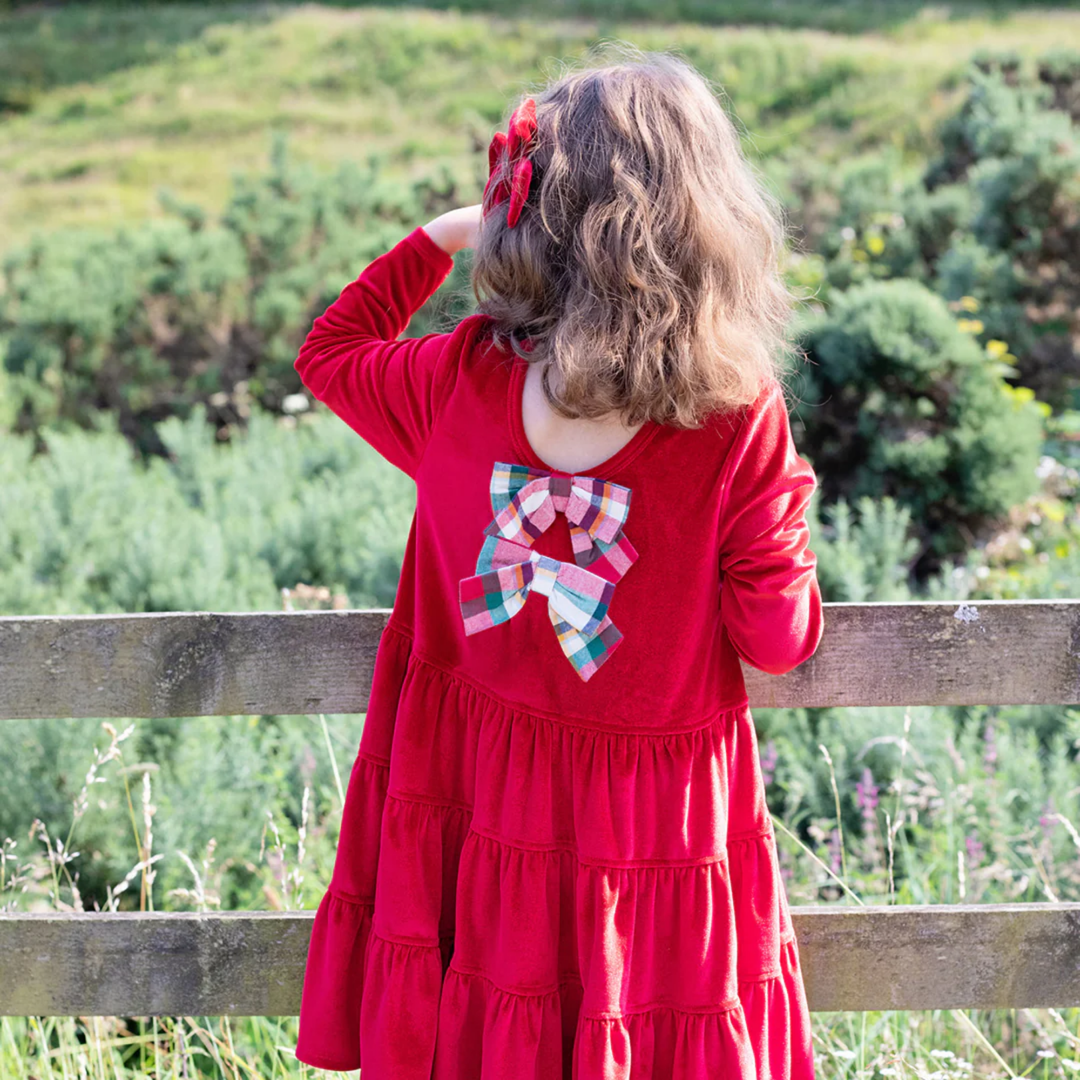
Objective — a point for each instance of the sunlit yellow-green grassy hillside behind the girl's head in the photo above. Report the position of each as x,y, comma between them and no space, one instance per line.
102,106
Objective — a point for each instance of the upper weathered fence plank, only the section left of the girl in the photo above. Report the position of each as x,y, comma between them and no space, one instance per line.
188,665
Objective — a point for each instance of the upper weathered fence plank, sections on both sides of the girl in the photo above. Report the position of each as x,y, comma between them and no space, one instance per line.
188,665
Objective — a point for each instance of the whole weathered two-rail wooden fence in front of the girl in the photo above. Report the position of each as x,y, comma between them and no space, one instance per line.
855,958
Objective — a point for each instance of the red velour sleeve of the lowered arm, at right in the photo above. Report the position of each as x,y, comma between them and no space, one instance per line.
771,603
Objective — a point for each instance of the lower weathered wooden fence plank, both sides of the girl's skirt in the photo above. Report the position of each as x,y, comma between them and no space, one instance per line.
992,956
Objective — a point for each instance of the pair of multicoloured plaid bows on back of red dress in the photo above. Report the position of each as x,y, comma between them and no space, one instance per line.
525,503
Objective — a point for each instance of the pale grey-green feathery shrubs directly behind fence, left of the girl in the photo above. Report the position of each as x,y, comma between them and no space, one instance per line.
88,526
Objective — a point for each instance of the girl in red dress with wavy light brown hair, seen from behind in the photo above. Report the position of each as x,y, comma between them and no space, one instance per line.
557,859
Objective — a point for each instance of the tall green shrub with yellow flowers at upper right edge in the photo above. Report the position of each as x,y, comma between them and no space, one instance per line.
993,220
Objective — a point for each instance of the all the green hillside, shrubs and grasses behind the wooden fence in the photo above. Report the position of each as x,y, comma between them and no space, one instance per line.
184,187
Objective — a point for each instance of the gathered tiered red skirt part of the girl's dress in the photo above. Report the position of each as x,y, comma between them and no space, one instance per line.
520,897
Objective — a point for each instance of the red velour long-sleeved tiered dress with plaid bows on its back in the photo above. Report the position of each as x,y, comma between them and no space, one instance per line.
556,858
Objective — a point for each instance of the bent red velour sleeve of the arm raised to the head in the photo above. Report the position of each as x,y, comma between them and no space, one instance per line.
388,391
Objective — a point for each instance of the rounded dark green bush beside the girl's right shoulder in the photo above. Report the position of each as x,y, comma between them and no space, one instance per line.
898,401
